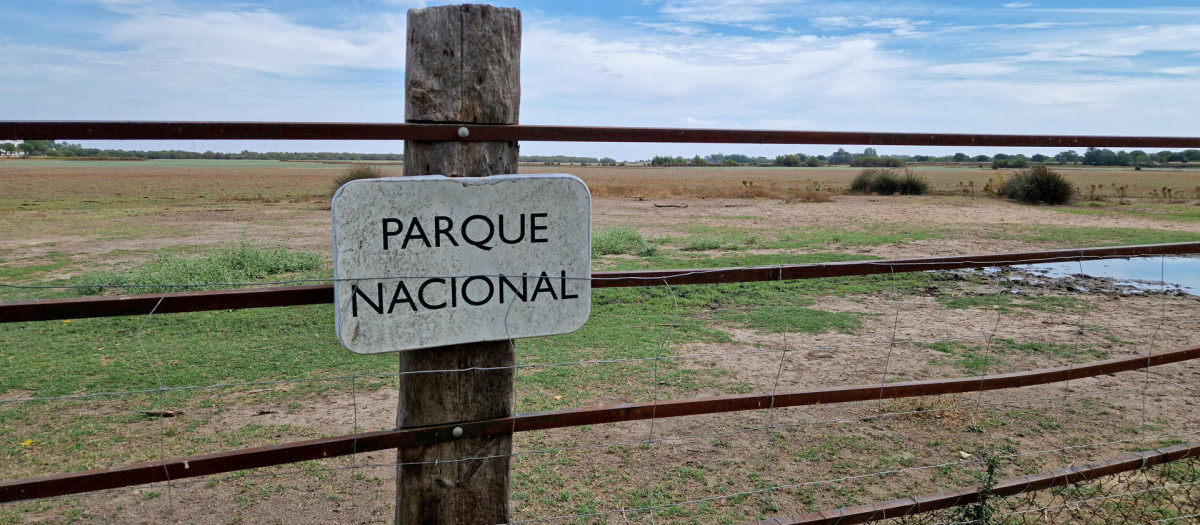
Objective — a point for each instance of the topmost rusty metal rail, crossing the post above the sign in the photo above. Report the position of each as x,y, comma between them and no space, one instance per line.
449,132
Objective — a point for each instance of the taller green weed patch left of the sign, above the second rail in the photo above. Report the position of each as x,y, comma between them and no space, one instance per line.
242,262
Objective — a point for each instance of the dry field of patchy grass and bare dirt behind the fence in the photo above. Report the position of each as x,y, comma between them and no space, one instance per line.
64,220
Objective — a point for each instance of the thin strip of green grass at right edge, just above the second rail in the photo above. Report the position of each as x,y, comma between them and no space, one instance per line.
1089,237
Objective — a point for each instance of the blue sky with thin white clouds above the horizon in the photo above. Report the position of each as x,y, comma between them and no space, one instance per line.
1031,68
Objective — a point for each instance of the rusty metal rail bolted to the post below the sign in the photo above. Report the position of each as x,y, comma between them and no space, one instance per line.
303,451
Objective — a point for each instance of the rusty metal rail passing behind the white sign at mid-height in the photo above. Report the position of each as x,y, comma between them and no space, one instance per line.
280,297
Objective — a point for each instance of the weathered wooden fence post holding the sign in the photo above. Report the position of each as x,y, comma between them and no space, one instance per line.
464,67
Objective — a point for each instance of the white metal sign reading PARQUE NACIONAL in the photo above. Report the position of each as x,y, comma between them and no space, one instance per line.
431,261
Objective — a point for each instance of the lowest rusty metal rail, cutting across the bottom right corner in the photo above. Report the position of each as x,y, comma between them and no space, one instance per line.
958,498
